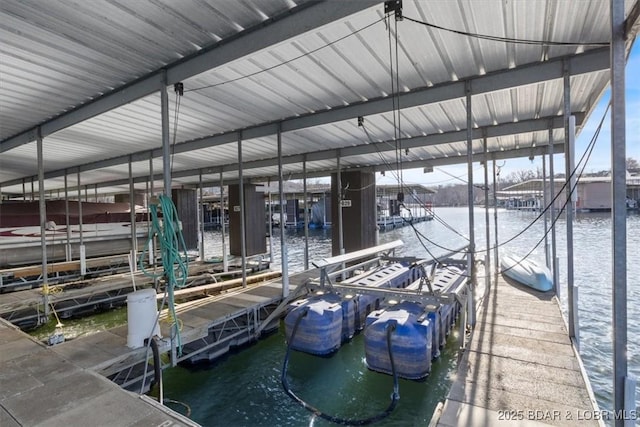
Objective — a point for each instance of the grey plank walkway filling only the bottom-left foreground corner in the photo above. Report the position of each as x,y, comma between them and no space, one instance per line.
38,387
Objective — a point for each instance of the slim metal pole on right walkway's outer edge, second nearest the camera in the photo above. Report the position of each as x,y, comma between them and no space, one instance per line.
570,189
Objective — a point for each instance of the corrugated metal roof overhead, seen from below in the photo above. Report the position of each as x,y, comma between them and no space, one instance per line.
62,56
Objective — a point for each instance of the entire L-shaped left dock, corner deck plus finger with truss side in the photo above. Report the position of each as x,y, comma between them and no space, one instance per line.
83,381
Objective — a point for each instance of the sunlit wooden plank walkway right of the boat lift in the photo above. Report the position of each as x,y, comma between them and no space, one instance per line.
520,367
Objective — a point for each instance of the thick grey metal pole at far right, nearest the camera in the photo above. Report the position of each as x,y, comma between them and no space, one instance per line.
619,214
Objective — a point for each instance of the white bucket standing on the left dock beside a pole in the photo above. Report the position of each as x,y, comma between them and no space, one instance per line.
142,315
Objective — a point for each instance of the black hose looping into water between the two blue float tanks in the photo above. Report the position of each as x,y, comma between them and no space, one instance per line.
395,396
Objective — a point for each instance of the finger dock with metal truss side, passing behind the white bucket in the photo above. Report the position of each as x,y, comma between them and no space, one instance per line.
210,327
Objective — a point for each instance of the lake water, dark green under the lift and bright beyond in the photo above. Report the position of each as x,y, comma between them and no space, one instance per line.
243,389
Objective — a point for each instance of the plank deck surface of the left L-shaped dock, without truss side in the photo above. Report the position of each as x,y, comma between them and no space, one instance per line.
67,385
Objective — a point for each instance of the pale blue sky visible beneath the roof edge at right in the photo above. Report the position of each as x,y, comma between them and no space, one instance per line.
599,160
